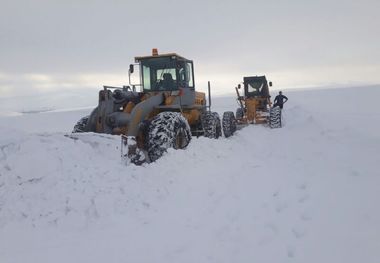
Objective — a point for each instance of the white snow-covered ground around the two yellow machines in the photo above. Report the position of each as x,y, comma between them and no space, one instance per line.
308,192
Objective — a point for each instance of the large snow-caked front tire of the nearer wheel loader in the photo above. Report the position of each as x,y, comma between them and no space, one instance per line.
167,130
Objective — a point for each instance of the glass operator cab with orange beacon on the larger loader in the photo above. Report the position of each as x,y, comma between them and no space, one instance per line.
165,72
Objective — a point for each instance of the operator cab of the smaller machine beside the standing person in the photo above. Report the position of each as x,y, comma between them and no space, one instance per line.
256,87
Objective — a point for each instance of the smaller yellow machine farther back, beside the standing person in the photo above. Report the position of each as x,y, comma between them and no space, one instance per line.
255,107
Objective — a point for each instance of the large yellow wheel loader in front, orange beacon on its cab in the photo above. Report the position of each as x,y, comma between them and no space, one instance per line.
164,113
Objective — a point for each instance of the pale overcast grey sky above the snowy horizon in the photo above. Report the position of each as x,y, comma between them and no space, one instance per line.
63,45
